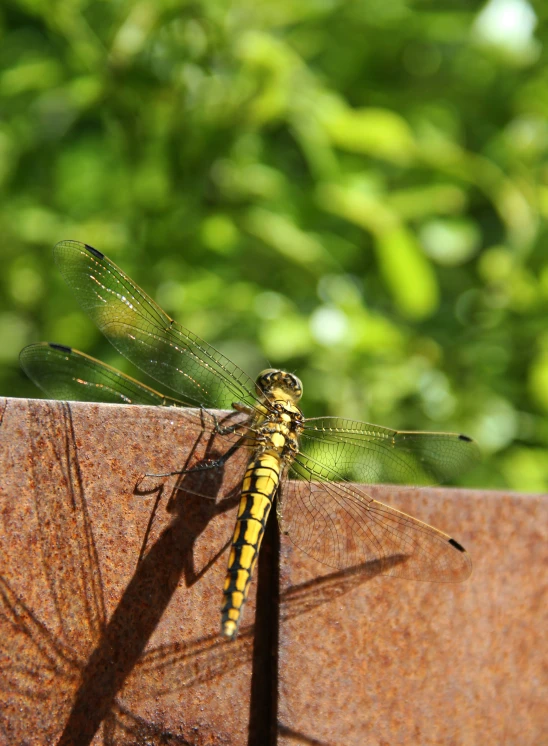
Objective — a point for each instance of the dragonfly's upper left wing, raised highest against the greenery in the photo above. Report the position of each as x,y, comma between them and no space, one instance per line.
146,335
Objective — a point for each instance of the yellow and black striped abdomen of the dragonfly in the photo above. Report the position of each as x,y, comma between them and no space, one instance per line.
258,490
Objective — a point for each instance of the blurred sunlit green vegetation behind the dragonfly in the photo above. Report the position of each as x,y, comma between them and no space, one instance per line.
355,191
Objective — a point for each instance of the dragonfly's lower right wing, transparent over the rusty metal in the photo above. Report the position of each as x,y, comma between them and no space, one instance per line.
340,525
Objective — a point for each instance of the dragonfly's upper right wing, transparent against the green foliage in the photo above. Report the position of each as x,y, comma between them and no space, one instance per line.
358,451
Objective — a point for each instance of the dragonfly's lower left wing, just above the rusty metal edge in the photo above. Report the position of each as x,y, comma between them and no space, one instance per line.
64,373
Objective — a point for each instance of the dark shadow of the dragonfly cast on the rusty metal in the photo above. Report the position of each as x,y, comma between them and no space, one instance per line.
73,680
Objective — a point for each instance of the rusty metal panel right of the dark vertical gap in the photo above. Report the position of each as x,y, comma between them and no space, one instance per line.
379,661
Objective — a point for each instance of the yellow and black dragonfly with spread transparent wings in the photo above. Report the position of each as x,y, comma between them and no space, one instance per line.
313,470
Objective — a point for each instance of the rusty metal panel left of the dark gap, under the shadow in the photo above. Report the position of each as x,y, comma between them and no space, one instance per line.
97,647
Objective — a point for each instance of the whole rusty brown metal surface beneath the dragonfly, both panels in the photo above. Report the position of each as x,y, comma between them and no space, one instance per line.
110,589
